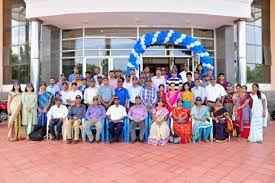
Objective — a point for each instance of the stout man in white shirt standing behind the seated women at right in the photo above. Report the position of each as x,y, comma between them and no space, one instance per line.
213,91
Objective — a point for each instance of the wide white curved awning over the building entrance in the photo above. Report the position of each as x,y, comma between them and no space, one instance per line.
68,14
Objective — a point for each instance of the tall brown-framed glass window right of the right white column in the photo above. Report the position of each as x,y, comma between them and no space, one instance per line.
257,27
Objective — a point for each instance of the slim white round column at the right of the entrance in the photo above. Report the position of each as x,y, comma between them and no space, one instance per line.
241,26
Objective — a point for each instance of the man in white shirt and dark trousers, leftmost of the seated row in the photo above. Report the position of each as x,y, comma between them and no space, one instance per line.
56,115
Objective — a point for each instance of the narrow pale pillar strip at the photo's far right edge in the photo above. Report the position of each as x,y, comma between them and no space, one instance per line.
272,42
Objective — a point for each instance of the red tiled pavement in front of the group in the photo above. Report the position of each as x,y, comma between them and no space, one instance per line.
56,162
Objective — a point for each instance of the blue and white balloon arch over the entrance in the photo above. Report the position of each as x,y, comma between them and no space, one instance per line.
169,38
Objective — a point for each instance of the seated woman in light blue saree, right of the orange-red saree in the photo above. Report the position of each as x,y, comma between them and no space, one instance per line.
202,127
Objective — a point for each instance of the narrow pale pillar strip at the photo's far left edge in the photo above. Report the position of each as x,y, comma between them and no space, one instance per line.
1,41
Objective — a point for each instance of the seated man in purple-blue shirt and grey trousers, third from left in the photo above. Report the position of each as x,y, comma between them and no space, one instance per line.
95,116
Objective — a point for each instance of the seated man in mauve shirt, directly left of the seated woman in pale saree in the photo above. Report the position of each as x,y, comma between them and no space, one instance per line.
137,114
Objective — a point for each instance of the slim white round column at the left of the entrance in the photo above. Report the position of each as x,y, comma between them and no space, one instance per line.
35,52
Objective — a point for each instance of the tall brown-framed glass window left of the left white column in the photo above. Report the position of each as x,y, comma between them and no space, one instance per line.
17,51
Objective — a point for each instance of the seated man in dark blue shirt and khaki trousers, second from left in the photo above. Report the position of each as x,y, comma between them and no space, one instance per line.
72,125
